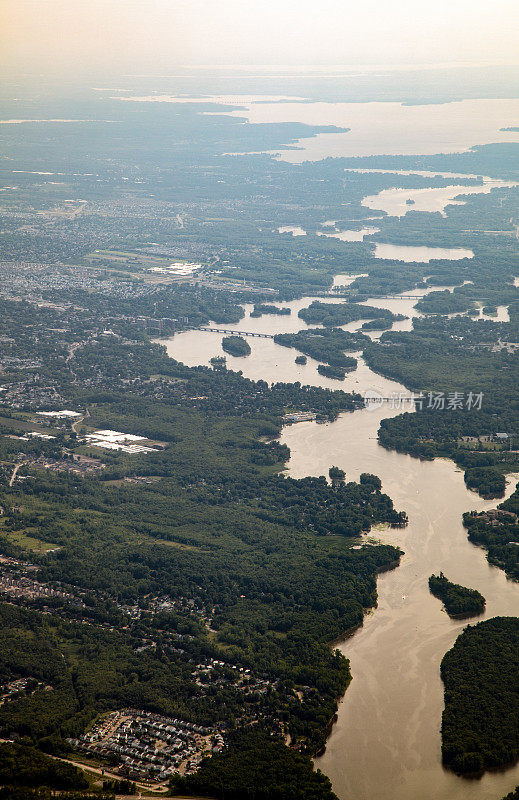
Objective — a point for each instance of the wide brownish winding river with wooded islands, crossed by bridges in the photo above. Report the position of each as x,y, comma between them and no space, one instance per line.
386,742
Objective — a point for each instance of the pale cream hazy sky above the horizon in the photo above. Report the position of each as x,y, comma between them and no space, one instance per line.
156,35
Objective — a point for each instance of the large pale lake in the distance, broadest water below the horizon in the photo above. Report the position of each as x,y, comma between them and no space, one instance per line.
375,128
